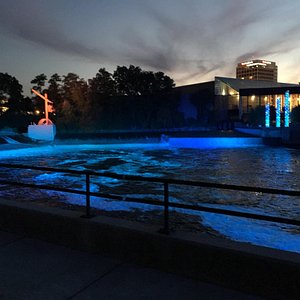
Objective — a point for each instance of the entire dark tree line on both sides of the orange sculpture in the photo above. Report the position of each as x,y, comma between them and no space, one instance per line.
128,98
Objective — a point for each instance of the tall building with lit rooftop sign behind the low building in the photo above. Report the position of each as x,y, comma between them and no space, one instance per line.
257,69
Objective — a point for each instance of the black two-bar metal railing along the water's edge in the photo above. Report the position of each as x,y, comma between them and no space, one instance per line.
166,204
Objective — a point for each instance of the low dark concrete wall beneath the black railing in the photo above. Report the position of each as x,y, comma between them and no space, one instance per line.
267,272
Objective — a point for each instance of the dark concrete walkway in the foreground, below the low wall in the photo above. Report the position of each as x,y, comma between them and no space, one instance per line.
33,269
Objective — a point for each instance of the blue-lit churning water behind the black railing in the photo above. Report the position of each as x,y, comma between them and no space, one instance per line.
255,166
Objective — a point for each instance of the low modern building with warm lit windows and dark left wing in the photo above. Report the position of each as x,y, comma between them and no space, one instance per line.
229,99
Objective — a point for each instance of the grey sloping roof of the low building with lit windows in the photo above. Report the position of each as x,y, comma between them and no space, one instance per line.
238,84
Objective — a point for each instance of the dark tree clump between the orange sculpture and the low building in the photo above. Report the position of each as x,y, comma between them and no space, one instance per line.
129,98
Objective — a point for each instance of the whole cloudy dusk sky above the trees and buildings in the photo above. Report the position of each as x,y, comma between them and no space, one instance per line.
191,41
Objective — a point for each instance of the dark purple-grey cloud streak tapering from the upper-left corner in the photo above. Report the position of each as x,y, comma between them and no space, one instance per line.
36,26
